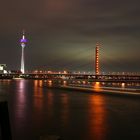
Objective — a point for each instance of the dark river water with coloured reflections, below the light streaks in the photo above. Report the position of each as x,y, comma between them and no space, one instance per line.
36,110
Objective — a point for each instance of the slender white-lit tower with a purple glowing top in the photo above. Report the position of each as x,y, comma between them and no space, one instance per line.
23,42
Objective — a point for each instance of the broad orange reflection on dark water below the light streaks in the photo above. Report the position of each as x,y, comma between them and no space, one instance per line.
97,121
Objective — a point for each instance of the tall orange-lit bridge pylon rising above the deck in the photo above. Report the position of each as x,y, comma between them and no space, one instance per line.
97,59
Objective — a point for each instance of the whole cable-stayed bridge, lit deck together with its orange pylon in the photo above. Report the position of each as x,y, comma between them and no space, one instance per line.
65,75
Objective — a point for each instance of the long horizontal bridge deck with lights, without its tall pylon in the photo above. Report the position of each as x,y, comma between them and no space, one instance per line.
75,76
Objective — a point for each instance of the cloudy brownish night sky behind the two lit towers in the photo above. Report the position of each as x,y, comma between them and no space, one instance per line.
62,34
